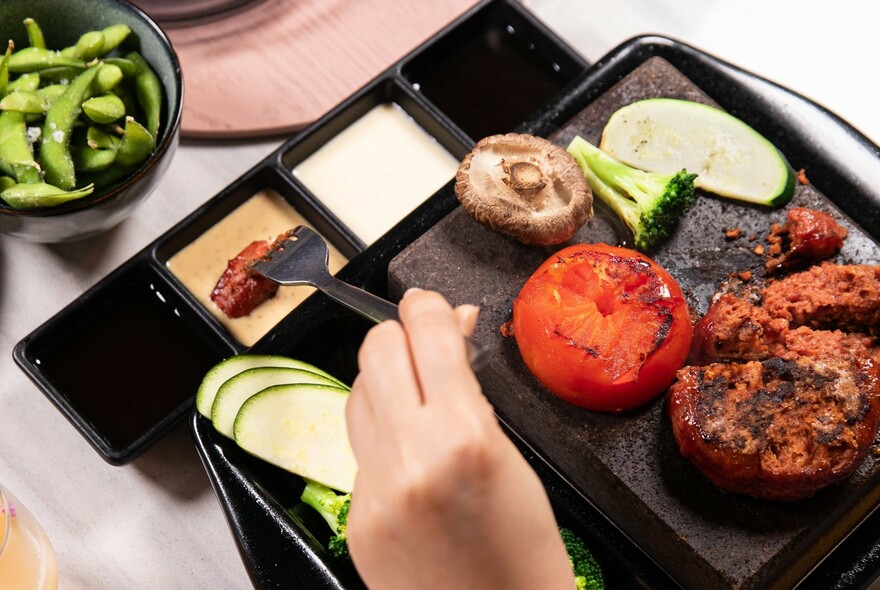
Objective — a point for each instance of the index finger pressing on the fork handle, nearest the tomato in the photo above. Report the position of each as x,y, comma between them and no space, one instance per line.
436,344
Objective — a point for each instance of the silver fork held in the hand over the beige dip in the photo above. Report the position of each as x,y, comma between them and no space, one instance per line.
301,259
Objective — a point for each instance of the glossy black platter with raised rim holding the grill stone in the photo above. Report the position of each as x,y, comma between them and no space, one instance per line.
283,550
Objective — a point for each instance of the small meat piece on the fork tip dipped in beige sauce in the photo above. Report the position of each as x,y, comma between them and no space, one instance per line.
241,288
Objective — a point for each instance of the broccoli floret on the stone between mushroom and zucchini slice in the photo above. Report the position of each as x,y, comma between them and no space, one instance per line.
648,202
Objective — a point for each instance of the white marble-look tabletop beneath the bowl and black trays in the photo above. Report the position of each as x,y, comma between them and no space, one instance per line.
156,522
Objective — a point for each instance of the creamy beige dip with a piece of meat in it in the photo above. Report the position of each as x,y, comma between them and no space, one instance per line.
199,265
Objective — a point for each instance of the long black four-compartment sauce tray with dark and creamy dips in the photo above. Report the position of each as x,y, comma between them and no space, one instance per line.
69,356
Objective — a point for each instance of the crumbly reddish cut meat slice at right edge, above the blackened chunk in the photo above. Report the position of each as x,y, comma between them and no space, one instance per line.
828,295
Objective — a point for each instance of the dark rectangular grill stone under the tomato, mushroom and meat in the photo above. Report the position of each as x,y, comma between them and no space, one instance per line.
628,465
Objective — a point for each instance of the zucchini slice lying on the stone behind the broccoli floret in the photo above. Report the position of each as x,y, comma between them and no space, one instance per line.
730,158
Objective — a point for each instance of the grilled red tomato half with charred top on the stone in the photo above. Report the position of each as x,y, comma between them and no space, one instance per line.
602,327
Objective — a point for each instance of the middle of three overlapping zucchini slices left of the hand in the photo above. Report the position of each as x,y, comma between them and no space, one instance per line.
237,389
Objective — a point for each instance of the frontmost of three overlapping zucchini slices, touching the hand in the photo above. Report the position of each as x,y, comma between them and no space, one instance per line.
300,428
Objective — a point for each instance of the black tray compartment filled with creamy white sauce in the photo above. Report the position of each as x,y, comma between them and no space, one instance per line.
376,159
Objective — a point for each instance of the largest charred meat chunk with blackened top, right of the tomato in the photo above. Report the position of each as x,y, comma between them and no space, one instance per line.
776,429
